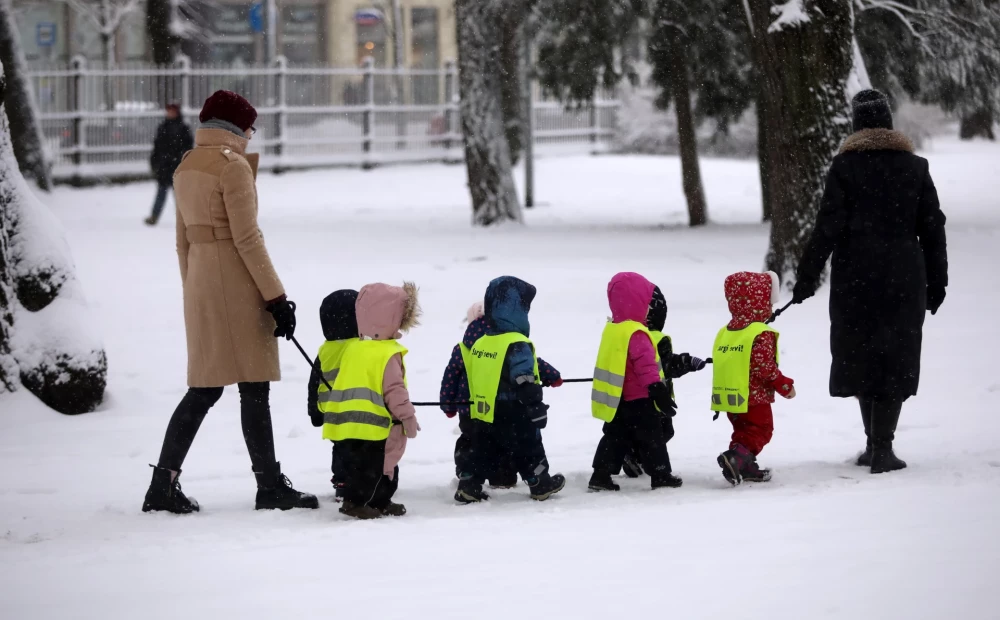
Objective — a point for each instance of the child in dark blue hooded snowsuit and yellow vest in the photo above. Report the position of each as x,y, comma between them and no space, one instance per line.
518,410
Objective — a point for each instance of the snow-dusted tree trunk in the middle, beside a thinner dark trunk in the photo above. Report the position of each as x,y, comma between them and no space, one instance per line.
487,154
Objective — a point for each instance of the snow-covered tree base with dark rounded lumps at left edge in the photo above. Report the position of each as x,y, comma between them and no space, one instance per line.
46,344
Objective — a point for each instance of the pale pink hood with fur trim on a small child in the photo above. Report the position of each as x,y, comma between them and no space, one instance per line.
384,311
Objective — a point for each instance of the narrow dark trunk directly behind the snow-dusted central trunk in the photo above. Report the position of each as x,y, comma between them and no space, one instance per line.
513,71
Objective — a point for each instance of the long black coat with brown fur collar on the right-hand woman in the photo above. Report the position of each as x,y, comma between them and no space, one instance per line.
881,220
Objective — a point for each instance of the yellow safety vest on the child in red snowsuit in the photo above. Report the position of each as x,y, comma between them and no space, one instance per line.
731,367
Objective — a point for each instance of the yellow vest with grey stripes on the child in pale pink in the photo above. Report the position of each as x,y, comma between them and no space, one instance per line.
355,409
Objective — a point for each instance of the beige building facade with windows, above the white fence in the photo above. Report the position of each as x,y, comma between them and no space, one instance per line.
306,32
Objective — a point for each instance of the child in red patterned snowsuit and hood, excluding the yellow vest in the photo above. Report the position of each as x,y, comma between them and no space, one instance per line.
751,297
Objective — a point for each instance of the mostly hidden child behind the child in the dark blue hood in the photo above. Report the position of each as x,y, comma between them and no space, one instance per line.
455,389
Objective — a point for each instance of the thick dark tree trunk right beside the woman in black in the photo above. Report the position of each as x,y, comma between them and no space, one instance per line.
804,65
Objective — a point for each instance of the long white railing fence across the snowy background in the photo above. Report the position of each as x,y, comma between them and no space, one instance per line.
101,121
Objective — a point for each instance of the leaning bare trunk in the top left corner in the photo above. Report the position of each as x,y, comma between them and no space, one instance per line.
26,133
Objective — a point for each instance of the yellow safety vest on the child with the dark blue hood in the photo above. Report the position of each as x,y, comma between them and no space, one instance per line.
483,367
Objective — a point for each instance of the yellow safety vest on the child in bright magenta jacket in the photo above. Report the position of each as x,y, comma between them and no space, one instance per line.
609,371
